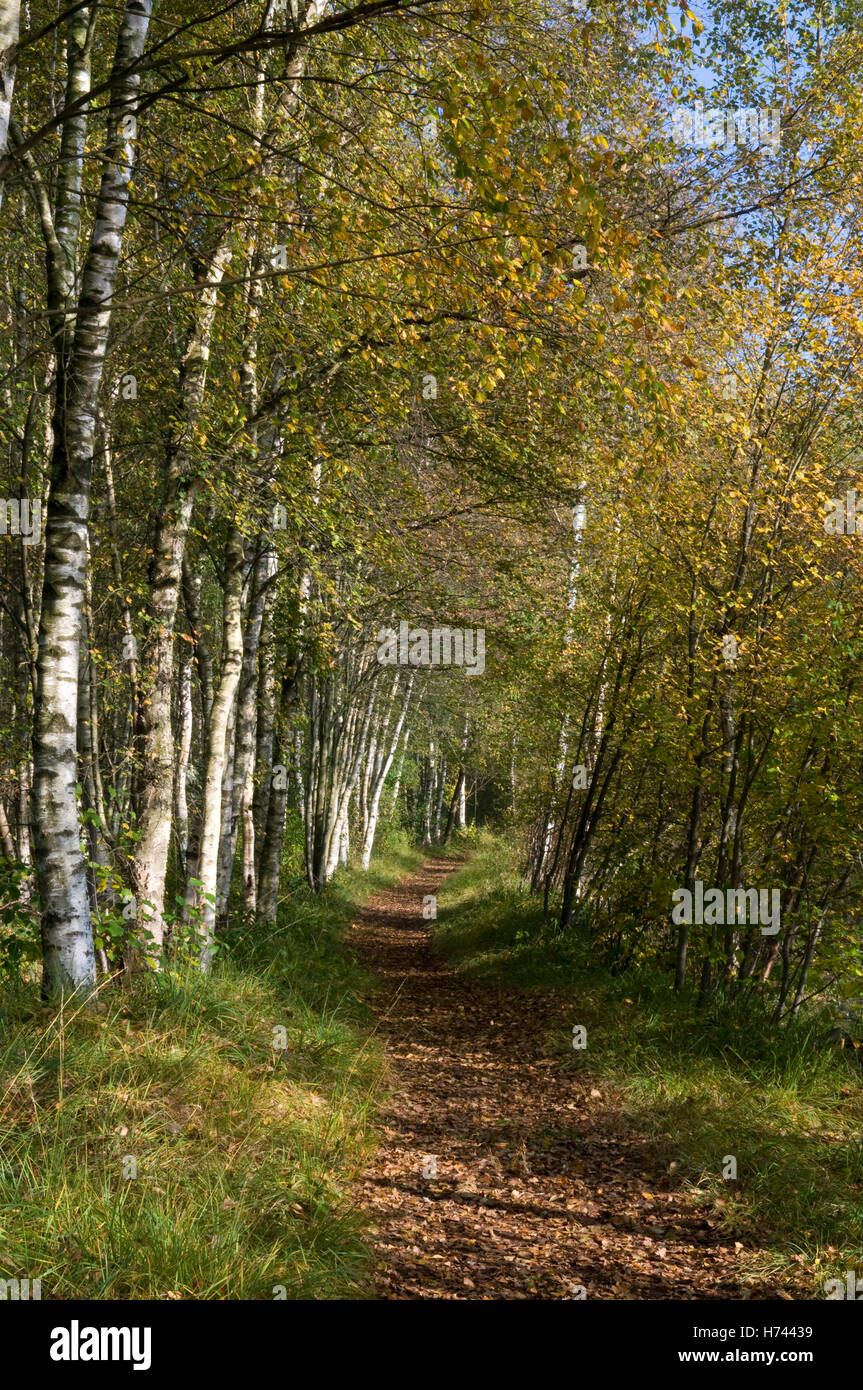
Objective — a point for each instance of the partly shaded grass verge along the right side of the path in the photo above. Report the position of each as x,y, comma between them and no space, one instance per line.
702,1086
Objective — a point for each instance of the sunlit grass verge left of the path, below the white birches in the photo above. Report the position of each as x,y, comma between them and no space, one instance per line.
166,1149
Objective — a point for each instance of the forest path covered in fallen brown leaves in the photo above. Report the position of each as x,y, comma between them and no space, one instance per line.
541,1186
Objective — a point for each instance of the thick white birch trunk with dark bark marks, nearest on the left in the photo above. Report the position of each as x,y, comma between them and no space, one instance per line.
67,938
